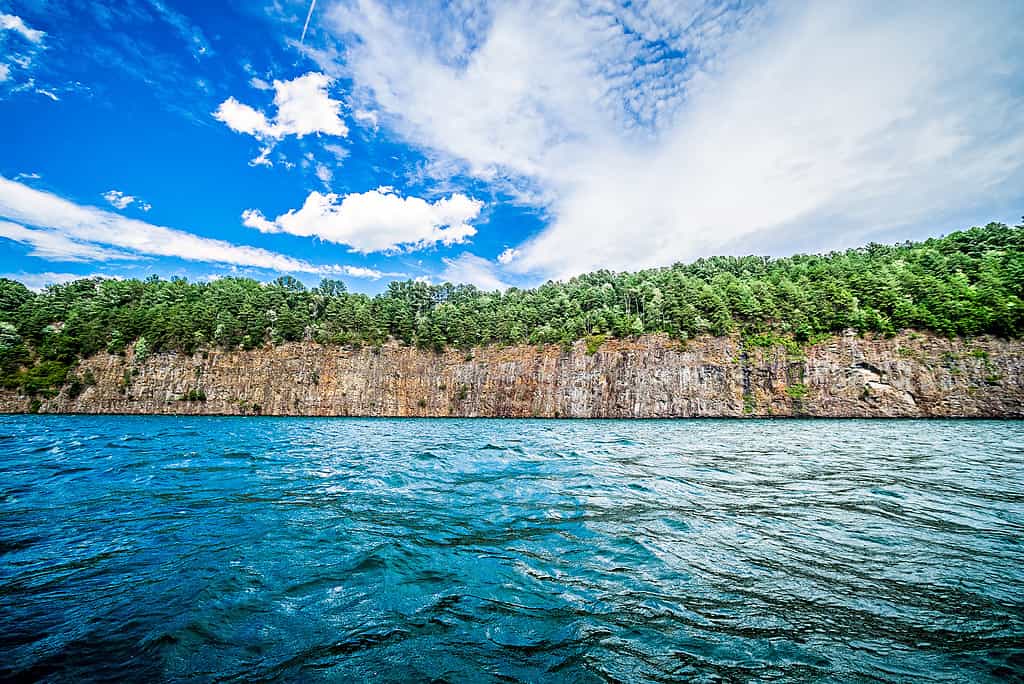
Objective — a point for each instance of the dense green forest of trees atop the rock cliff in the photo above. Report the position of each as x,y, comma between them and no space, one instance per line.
968,283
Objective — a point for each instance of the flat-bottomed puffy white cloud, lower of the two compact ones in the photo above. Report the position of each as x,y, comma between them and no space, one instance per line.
379,221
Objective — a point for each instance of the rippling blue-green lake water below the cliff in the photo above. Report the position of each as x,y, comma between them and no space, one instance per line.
405,550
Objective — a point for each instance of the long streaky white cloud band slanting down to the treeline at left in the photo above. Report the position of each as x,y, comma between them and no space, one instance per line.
72,233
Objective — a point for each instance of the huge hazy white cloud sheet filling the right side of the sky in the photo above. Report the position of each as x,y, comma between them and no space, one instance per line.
665,132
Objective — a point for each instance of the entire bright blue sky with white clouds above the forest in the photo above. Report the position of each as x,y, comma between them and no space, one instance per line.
499,144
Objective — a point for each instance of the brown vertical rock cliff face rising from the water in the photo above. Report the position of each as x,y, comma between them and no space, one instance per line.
911,375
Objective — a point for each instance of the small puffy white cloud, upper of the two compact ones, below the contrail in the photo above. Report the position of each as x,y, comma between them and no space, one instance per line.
304,105
